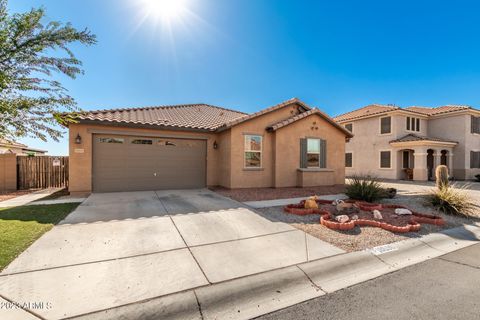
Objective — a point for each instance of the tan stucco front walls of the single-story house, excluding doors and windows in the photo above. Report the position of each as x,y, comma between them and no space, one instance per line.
225,165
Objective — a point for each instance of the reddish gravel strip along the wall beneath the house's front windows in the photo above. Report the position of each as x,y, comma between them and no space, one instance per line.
259,194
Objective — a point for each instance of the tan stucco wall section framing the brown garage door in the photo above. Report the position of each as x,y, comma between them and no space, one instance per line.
80,172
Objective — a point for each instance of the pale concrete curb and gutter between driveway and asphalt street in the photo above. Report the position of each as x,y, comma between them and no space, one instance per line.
255,295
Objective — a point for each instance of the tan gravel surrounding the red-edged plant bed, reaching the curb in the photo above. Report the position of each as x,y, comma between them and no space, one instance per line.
365,237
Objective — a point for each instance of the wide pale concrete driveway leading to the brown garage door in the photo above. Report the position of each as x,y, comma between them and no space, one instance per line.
122,248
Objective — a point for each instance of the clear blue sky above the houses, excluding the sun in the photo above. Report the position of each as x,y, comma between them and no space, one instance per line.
250,54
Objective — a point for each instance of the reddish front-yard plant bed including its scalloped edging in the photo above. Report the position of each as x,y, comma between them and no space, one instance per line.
360,214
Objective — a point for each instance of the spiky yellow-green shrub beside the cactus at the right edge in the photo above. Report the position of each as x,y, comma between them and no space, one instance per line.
452,200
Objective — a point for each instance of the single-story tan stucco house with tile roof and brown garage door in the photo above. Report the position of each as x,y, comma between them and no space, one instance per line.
199,145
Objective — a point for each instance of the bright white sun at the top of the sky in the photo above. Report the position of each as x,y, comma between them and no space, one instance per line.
164,10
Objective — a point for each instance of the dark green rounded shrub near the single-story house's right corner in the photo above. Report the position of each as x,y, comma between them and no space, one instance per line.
364,188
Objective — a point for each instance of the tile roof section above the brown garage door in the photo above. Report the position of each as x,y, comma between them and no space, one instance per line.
193,116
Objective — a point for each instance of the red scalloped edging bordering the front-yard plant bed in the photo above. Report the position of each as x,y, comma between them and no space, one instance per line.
413,225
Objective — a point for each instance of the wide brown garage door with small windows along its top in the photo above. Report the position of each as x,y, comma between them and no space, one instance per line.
125,163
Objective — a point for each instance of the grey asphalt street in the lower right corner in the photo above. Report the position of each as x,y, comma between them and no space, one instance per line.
447,287
